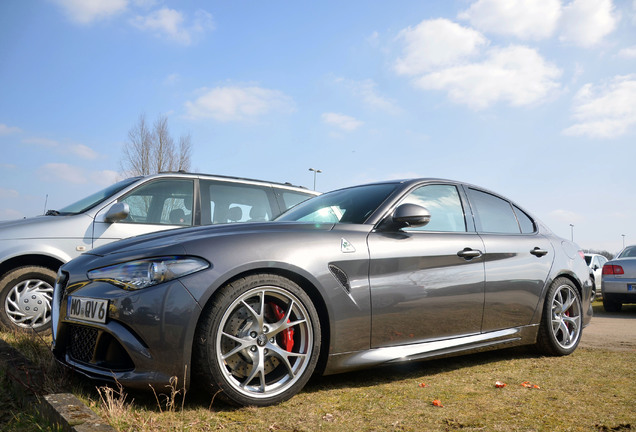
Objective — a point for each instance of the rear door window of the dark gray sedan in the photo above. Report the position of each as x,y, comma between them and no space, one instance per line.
493,214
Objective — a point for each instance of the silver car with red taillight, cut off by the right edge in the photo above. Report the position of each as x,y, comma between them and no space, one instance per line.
619,280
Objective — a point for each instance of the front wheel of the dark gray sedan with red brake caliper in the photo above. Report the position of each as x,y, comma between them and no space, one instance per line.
258,341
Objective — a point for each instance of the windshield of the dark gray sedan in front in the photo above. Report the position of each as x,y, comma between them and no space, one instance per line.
353,205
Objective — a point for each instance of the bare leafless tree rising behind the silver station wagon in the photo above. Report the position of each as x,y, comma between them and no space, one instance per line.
151,151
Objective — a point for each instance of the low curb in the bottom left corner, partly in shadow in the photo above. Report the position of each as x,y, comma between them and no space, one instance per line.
62,409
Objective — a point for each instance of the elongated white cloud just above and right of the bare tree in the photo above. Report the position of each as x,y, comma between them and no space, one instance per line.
234,103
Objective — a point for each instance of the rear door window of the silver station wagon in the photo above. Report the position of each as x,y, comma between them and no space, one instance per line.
235,202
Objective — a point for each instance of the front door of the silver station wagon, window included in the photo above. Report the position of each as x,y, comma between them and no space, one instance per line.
155,205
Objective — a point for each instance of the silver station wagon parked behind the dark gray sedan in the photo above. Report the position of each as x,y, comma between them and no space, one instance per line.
32,249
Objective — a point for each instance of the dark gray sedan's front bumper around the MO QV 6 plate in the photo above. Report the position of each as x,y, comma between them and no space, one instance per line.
146,339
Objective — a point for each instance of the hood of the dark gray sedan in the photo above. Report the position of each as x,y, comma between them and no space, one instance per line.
162,239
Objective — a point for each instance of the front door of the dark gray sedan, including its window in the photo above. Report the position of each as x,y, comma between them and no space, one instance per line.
427,283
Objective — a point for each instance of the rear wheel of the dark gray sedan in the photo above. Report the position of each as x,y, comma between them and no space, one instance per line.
562,319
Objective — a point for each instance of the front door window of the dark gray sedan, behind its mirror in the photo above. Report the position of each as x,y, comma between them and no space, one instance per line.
445,206
